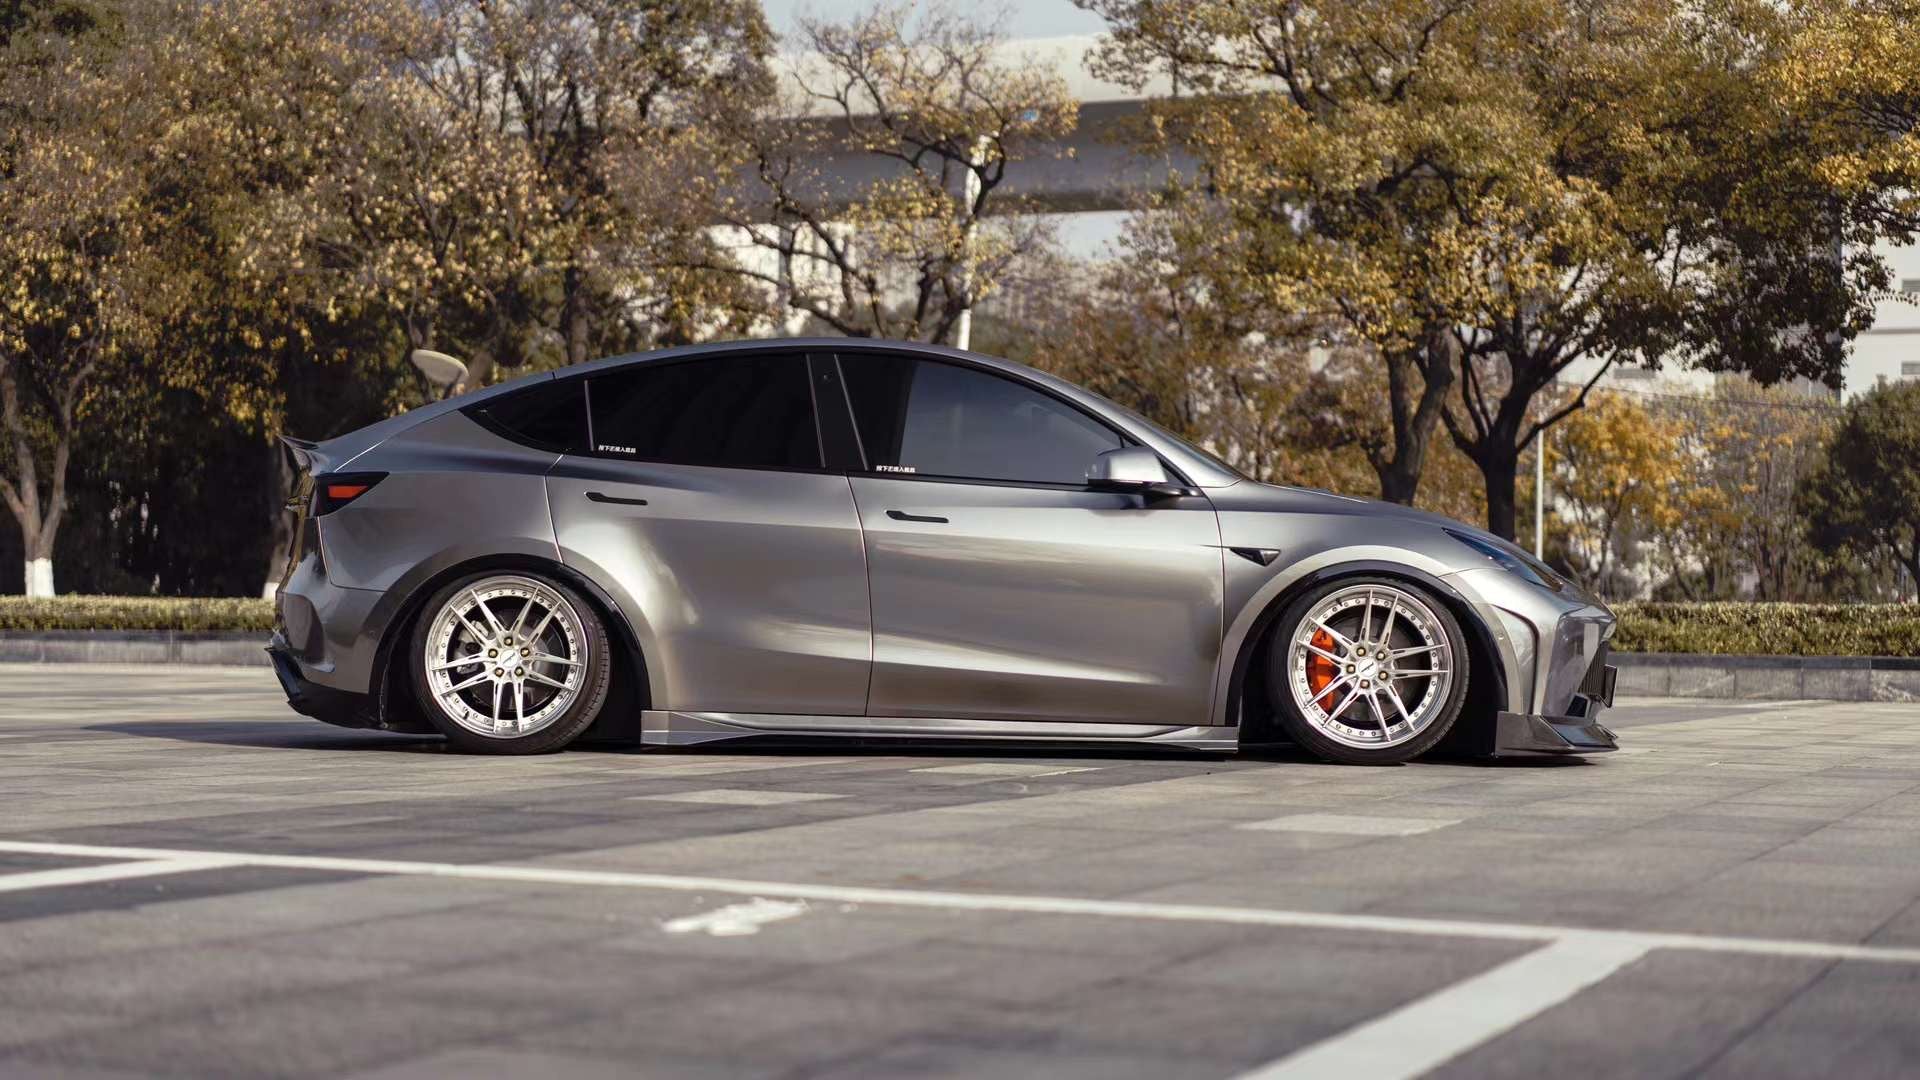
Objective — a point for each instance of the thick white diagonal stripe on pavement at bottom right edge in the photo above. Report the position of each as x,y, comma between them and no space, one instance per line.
1426,1035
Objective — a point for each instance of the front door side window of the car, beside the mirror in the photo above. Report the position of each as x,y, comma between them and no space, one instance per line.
944,420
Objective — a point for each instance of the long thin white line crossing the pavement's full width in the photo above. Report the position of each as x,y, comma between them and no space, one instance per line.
1015,904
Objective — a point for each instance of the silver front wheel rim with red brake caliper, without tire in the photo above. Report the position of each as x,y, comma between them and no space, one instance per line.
1370,706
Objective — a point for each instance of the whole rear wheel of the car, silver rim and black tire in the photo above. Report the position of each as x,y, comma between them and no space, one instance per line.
510,664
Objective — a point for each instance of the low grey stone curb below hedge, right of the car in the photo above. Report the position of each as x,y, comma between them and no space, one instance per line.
1767,677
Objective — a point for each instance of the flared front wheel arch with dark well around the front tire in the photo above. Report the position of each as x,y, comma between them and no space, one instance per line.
1497,664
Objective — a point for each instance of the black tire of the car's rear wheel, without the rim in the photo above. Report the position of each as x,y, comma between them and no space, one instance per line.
569,724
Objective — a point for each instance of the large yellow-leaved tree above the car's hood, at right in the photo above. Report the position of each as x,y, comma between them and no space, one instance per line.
1491,193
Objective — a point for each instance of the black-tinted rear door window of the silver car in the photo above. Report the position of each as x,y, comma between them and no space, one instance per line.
734,410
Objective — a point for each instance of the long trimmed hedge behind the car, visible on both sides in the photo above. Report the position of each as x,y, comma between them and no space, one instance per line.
1727,627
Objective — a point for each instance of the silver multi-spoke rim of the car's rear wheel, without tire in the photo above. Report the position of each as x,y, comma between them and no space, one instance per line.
540,649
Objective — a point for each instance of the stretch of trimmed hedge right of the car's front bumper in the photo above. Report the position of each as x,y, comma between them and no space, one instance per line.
1769,629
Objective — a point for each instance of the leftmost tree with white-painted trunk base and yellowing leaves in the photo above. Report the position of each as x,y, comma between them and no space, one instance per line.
82,285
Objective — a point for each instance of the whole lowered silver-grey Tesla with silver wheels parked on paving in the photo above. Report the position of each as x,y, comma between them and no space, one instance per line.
896,541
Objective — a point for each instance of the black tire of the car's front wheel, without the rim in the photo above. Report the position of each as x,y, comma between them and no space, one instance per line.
1293,720
